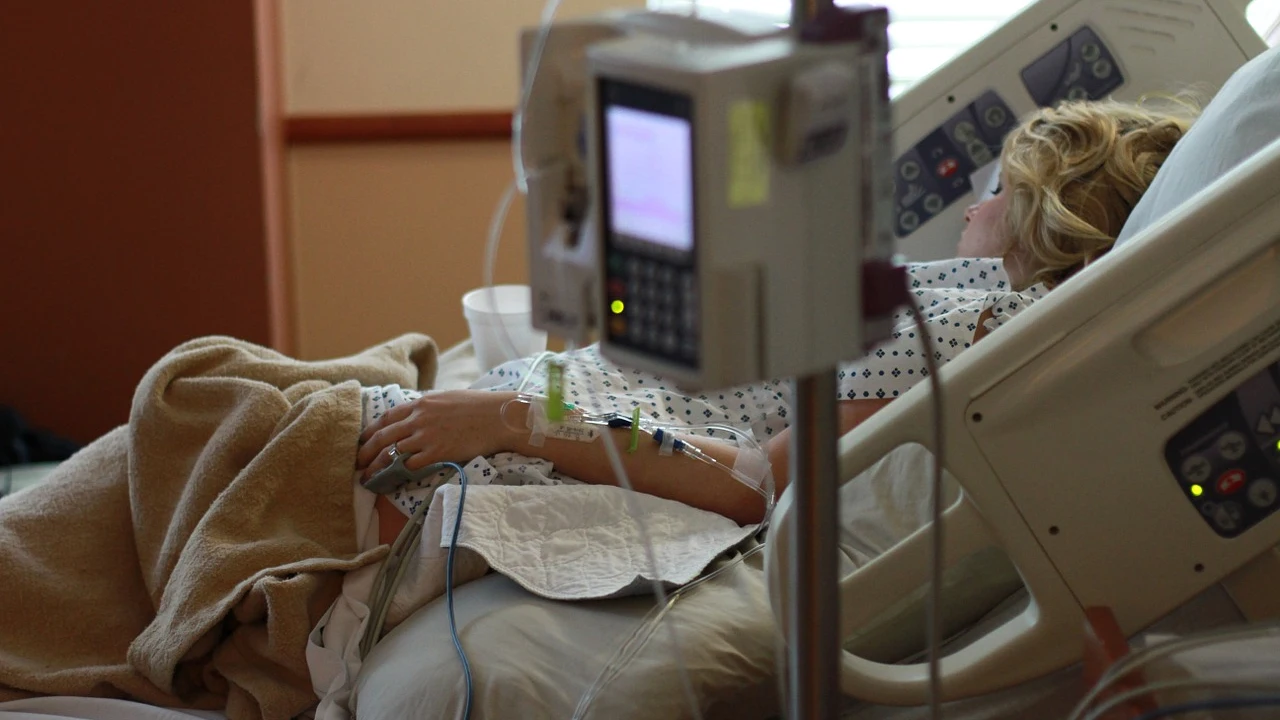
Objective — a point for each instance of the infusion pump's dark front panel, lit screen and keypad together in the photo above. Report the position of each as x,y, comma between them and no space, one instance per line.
648,203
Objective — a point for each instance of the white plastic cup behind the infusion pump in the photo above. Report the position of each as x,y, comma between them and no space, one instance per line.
514,315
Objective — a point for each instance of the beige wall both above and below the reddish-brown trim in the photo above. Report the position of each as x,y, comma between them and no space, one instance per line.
386,239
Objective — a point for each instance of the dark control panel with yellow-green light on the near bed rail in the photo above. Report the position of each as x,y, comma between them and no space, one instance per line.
1228,459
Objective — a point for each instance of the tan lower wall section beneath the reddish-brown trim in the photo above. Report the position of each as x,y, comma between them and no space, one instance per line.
388,238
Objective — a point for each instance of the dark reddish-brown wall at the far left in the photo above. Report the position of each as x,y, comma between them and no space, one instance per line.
130,198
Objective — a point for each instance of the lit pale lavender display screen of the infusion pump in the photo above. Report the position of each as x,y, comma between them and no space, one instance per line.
651,188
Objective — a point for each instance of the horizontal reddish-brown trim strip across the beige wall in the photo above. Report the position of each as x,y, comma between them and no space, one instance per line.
321,130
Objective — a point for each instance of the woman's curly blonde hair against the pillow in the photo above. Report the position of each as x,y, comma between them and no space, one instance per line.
1075,174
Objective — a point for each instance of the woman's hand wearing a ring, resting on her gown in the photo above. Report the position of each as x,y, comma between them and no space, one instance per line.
441,427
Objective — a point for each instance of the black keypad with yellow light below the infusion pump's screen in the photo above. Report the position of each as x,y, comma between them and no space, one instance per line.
652,307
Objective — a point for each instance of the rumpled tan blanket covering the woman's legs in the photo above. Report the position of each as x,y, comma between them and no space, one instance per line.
182,559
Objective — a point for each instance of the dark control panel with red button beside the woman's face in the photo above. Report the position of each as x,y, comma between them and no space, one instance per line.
935,174
